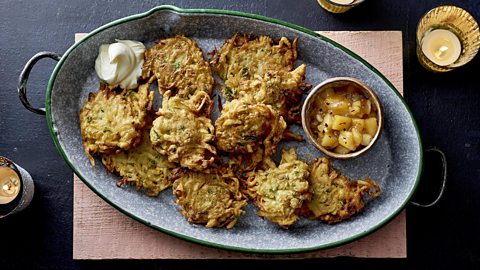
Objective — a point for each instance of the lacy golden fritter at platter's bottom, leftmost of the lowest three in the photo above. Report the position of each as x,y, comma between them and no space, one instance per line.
211,198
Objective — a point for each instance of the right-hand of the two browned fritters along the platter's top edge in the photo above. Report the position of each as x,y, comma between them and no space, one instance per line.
242,57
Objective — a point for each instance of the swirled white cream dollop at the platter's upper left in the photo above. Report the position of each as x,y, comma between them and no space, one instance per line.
120,63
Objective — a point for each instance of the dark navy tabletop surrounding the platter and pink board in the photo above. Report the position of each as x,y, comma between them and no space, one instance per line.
446,107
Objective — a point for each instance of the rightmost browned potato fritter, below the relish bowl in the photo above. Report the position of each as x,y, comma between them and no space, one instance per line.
335,197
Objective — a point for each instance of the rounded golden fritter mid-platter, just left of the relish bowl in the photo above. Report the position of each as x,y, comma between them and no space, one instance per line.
243,127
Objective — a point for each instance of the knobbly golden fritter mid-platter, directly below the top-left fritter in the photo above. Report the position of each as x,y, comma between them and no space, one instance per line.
184,132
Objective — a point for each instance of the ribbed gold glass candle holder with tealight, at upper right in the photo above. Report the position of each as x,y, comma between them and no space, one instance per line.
447,37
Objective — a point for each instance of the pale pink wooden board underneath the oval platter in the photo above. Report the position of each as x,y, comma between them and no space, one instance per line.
102,232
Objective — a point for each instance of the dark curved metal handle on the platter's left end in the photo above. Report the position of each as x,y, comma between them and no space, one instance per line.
23,79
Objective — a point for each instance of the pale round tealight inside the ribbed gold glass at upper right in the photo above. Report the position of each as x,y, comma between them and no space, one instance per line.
442,47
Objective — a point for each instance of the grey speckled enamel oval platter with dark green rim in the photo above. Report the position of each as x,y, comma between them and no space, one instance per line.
394,162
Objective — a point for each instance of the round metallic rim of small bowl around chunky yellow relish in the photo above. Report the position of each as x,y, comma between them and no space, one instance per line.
334,83
